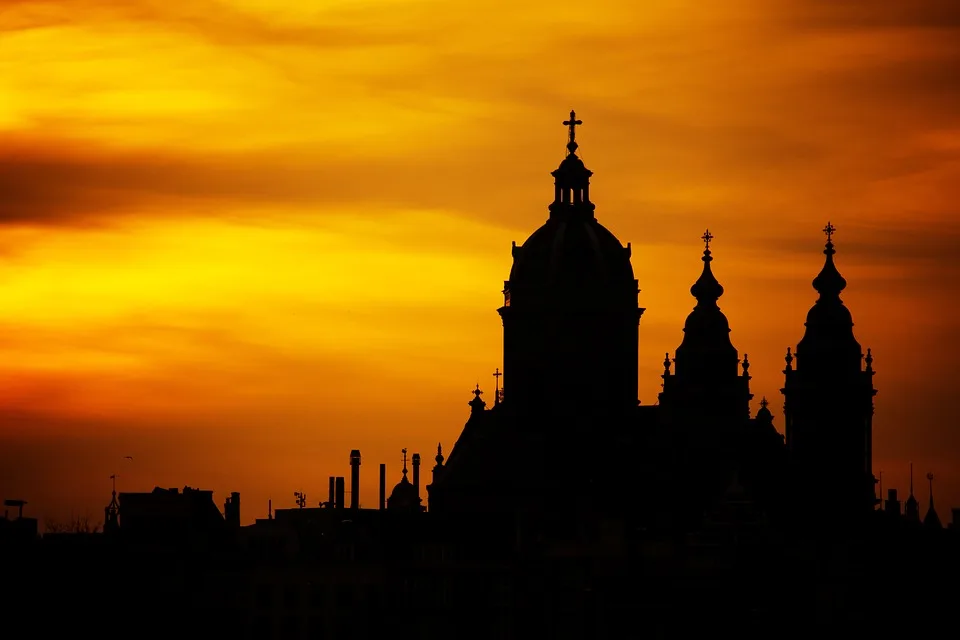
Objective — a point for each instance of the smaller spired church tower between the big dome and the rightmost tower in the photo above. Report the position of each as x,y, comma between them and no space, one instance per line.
707,386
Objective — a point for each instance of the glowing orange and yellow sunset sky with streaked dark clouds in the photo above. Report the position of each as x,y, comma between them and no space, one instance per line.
239,240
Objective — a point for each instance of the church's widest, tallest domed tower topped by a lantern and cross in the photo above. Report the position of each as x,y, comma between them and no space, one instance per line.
570,313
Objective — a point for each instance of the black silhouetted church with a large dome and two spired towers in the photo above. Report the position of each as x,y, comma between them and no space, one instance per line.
569,410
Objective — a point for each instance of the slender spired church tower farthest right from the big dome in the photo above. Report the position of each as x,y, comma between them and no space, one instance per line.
828,401
